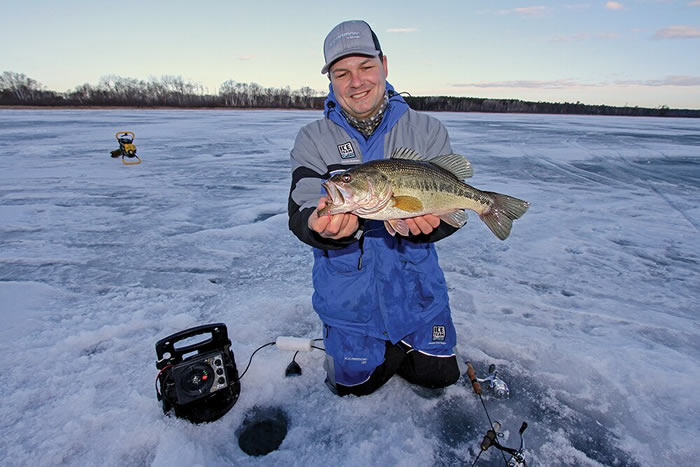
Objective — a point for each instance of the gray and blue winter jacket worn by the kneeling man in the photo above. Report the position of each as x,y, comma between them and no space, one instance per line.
370,283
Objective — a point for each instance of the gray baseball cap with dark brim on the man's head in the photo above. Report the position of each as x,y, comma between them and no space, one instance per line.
349,38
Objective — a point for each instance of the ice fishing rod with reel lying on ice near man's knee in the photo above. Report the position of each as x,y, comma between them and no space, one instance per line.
517,457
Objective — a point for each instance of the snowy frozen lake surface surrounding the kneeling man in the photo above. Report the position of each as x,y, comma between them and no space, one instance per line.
589,309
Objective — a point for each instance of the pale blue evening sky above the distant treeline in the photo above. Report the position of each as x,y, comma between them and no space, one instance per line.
627,52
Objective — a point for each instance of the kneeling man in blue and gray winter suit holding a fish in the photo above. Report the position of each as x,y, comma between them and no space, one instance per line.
382,299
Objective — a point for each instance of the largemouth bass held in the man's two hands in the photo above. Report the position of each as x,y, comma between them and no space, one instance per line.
408,185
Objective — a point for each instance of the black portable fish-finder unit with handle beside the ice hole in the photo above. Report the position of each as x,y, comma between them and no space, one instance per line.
198,381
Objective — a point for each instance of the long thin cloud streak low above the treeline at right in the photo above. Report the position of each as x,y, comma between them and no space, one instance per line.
674,80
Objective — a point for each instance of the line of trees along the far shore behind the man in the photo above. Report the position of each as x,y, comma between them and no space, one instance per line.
173,91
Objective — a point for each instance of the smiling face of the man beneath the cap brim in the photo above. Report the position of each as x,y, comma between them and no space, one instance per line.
358,84
